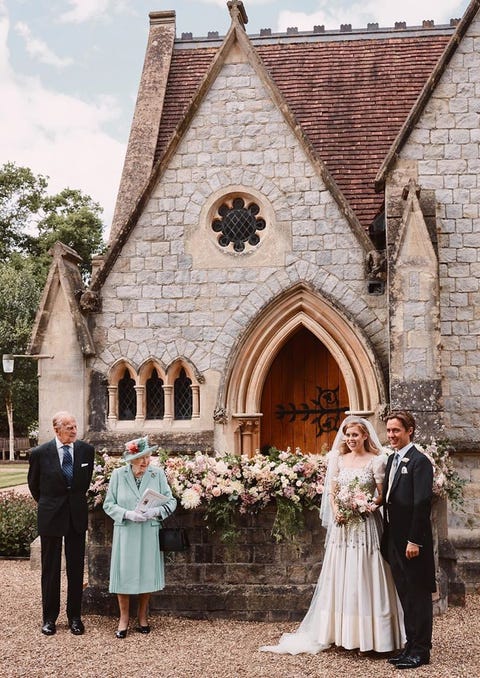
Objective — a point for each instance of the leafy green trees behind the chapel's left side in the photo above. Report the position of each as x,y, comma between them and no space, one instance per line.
31,221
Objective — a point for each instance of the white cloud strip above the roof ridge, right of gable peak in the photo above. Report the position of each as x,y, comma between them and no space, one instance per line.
359,13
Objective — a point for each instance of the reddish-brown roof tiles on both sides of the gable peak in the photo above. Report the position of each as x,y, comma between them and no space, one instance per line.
351,98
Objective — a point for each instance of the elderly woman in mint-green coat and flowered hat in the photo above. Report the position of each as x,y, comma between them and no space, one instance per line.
136,565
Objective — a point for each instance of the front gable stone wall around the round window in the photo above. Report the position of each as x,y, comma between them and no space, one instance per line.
174,292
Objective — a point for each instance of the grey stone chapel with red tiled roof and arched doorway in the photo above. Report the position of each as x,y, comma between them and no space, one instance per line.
296,236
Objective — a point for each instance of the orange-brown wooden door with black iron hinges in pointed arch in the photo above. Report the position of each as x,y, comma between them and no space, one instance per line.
304,397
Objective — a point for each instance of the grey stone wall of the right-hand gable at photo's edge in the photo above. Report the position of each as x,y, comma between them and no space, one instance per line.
442,155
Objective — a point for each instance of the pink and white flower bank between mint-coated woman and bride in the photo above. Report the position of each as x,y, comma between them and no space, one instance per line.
226,484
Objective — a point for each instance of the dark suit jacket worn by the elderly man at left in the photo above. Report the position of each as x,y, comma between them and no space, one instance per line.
58,505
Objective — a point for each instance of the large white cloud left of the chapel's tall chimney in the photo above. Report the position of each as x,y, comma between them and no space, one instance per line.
58,135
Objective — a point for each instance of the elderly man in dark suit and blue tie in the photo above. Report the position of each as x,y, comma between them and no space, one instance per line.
59,476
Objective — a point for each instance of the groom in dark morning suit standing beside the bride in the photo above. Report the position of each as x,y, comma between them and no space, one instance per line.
407,538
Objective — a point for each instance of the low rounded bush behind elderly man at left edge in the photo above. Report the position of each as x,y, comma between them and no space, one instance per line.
18,524
